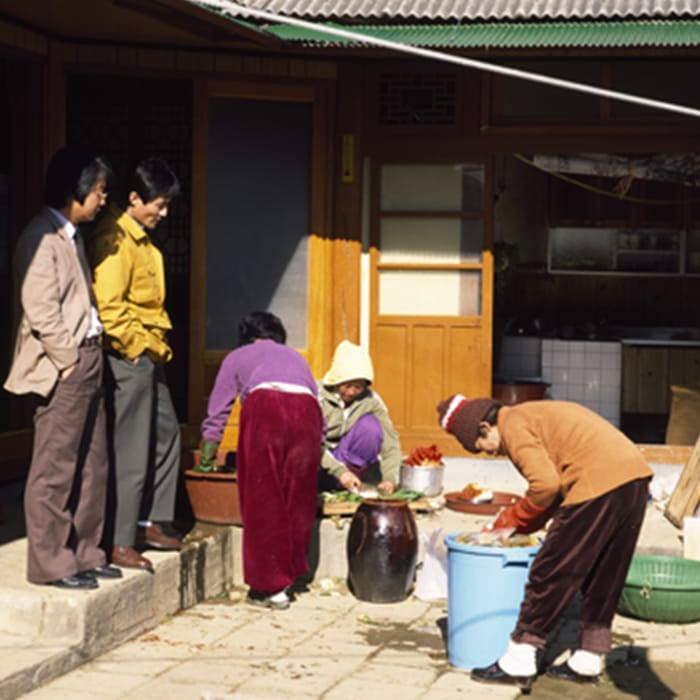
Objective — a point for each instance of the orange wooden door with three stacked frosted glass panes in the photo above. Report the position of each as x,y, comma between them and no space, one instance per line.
431,292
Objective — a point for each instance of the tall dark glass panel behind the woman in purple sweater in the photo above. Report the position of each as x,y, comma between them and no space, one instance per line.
257,254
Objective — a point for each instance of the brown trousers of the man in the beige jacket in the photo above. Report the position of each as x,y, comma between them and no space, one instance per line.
64,498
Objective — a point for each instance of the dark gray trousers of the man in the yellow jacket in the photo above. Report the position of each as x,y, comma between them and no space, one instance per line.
145,446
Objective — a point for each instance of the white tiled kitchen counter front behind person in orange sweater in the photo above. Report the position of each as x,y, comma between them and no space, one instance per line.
588,372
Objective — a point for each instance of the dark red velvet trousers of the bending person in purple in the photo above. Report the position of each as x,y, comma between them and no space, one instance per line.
279,448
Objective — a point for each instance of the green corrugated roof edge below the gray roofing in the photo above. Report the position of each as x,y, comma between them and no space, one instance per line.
682,33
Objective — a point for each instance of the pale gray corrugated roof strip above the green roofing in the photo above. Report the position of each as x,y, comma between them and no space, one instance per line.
477,9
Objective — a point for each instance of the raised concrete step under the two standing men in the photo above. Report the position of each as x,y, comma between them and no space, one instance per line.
46,631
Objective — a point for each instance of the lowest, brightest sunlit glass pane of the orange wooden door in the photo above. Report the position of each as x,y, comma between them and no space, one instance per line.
429,293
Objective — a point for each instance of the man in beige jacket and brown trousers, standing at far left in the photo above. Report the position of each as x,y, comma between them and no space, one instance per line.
58,355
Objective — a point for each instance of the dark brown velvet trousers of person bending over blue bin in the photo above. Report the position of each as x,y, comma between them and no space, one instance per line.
588,548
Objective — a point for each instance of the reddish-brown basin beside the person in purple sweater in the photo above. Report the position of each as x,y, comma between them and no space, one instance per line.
213,493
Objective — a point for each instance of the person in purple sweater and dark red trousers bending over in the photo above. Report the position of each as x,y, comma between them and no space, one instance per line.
279,443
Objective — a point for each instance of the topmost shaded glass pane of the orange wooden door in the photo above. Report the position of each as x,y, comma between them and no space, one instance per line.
430,187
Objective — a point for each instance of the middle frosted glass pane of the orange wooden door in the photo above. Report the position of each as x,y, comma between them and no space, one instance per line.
431,241
